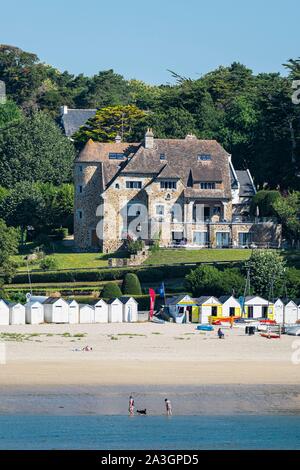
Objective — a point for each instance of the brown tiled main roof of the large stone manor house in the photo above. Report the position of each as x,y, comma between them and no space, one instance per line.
182,162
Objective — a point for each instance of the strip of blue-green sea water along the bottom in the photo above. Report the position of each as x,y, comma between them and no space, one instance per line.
149,432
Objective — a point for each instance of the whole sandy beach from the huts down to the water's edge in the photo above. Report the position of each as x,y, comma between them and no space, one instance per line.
201,373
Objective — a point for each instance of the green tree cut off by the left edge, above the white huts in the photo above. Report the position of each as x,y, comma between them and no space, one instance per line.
9,240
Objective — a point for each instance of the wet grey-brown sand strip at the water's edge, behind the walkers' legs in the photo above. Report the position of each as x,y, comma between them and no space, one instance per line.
209,400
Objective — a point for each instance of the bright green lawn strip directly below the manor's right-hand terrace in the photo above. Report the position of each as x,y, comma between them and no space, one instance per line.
174,255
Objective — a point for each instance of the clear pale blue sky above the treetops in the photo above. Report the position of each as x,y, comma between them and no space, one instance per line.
142,39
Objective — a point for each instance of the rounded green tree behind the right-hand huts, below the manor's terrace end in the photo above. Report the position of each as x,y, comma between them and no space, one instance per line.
267,267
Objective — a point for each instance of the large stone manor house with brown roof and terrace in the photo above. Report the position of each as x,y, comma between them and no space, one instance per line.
180,192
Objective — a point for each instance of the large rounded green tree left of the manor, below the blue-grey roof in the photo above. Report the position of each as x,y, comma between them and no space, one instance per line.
35,150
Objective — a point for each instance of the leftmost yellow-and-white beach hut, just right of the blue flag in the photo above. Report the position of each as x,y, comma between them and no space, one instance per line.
183,309
